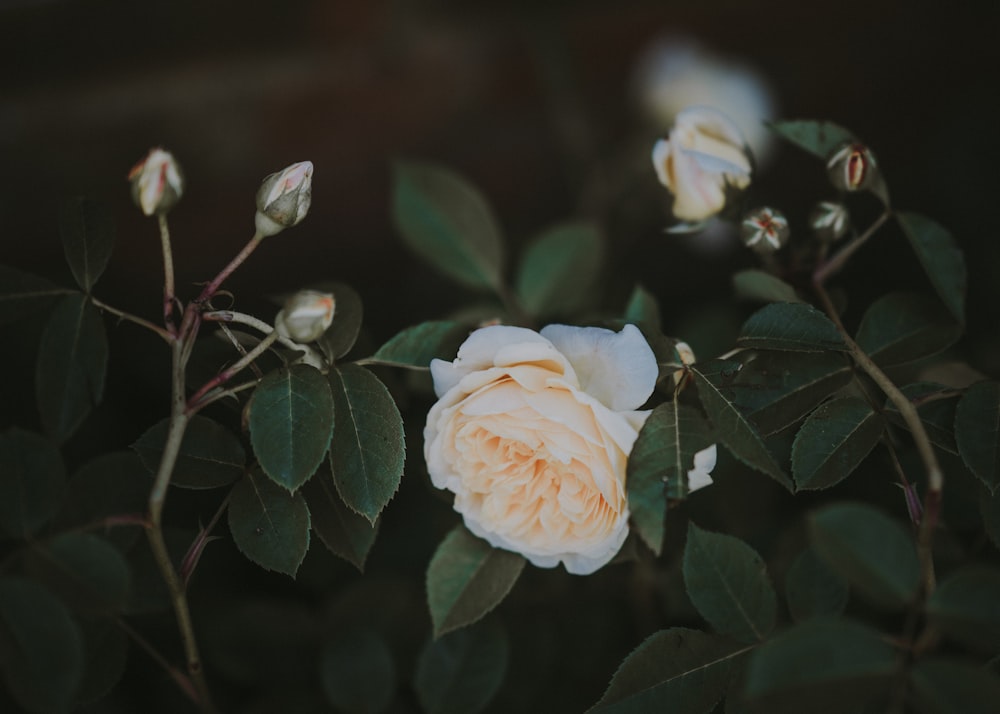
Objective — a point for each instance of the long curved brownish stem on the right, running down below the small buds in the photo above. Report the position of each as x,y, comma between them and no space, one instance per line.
908,412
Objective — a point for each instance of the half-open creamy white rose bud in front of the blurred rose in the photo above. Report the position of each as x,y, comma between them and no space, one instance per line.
702,157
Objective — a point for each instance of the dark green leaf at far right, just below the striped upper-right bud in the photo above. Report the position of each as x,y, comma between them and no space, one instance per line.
941,257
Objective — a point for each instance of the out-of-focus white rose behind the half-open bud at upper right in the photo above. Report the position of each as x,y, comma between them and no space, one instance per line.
675,73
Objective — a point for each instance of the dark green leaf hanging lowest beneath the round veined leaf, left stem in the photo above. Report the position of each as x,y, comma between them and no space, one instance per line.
270,526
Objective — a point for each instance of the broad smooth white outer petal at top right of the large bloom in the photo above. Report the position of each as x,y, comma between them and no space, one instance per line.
616,368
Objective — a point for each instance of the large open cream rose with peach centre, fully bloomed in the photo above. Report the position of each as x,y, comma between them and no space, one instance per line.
532,434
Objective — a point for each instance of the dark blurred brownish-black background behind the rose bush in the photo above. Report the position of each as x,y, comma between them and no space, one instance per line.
532,102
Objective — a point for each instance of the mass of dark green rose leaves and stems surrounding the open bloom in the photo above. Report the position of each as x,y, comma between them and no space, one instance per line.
749,596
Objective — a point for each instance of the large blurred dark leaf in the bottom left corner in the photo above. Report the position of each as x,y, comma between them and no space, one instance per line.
44,666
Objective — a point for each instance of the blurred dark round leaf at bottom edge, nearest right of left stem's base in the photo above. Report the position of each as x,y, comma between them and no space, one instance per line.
357,672
